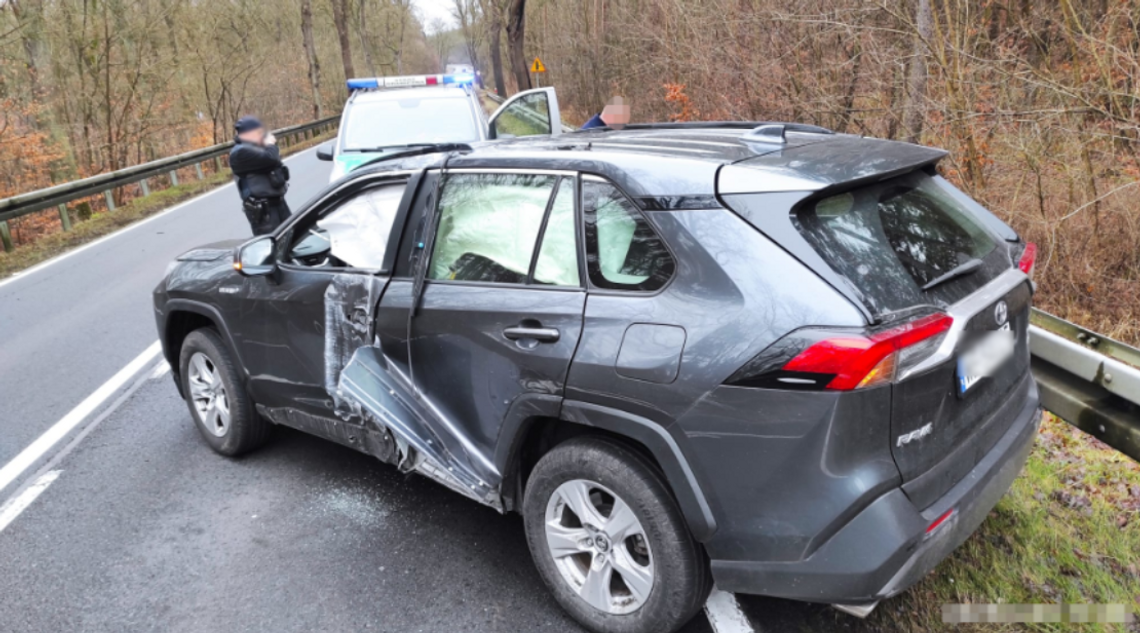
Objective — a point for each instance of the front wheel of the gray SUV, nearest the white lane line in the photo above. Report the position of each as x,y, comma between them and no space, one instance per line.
217,399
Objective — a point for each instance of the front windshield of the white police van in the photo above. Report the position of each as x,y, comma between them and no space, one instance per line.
410,121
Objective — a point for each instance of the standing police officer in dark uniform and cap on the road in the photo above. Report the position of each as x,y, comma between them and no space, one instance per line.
262,177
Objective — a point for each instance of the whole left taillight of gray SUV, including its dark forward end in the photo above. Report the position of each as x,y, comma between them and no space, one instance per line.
843,362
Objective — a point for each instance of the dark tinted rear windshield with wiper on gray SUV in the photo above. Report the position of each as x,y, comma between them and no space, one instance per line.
902,242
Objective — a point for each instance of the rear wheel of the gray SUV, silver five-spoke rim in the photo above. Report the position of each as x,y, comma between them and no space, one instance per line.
567,551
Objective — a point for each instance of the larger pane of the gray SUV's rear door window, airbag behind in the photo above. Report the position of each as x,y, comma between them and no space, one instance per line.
488,226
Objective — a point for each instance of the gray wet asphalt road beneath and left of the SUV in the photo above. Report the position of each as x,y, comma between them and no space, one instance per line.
144,529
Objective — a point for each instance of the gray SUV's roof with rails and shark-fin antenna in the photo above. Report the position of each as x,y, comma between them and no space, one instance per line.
678,166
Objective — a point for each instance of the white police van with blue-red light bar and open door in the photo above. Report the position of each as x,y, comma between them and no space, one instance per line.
389,115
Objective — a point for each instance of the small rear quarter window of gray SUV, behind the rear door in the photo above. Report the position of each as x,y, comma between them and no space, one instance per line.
623,253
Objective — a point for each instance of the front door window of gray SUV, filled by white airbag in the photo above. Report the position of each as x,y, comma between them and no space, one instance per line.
353,236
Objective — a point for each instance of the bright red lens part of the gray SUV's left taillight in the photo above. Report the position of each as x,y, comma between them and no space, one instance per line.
858,361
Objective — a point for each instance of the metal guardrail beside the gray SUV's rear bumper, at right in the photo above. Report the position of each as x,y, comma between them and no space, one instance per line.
1088,380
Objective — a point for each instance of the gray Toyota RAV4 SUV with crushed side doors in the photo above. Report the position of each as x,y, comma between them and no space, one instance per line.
786,361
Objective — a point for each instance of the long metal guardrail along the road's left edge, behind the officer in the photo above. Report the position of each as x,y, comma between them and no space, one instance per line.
60,196
